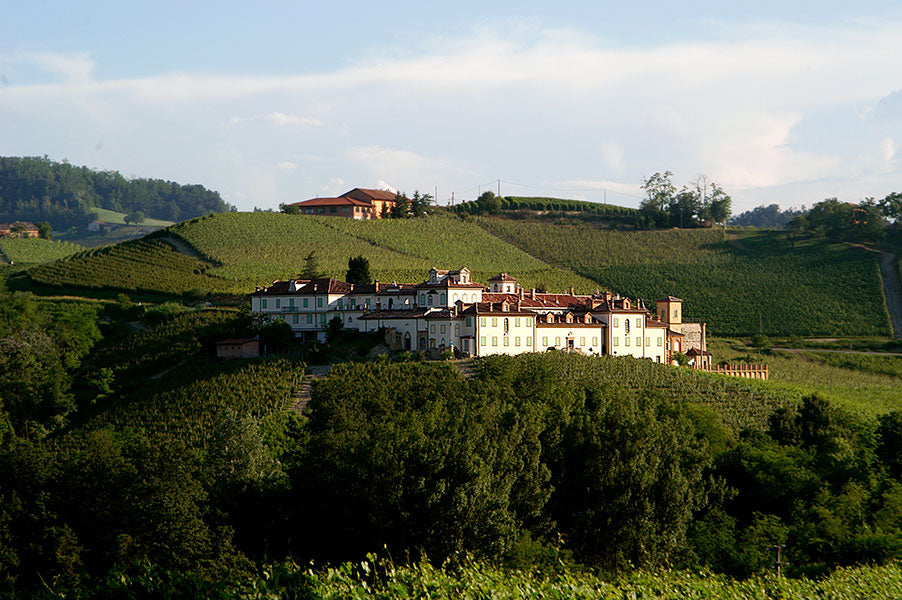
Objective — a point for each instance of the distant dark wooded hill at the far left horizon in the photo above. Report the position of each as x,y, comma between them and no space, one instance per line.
39,189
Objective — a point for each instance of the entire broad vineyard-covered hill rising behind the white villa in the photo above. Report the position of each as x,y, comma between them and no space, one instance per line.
752,280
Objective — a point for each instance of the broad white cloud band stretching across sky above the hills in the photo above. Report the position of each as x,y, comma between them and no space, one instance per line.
754,110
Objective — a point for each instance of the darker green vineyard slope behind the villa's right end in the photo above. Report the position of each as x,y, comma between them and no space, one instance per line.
817,288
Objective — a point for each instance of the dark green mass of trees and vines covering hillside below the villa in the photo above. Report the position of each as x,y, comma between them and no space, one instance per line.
132,462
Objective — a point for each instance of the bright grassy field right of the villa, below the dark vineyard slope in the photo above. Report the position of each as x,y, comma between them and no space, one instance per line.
865,384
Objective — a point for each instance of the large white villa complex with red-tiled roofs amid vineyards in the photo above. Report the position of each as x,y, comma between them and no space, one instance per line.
450,311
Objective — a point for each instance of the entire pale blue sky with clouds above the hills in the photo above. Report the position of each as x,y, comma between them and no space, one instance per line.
274,102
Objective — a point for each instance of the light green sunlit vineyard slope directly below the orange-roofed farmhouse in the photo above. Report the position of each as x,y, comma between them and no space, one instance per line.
261,247
